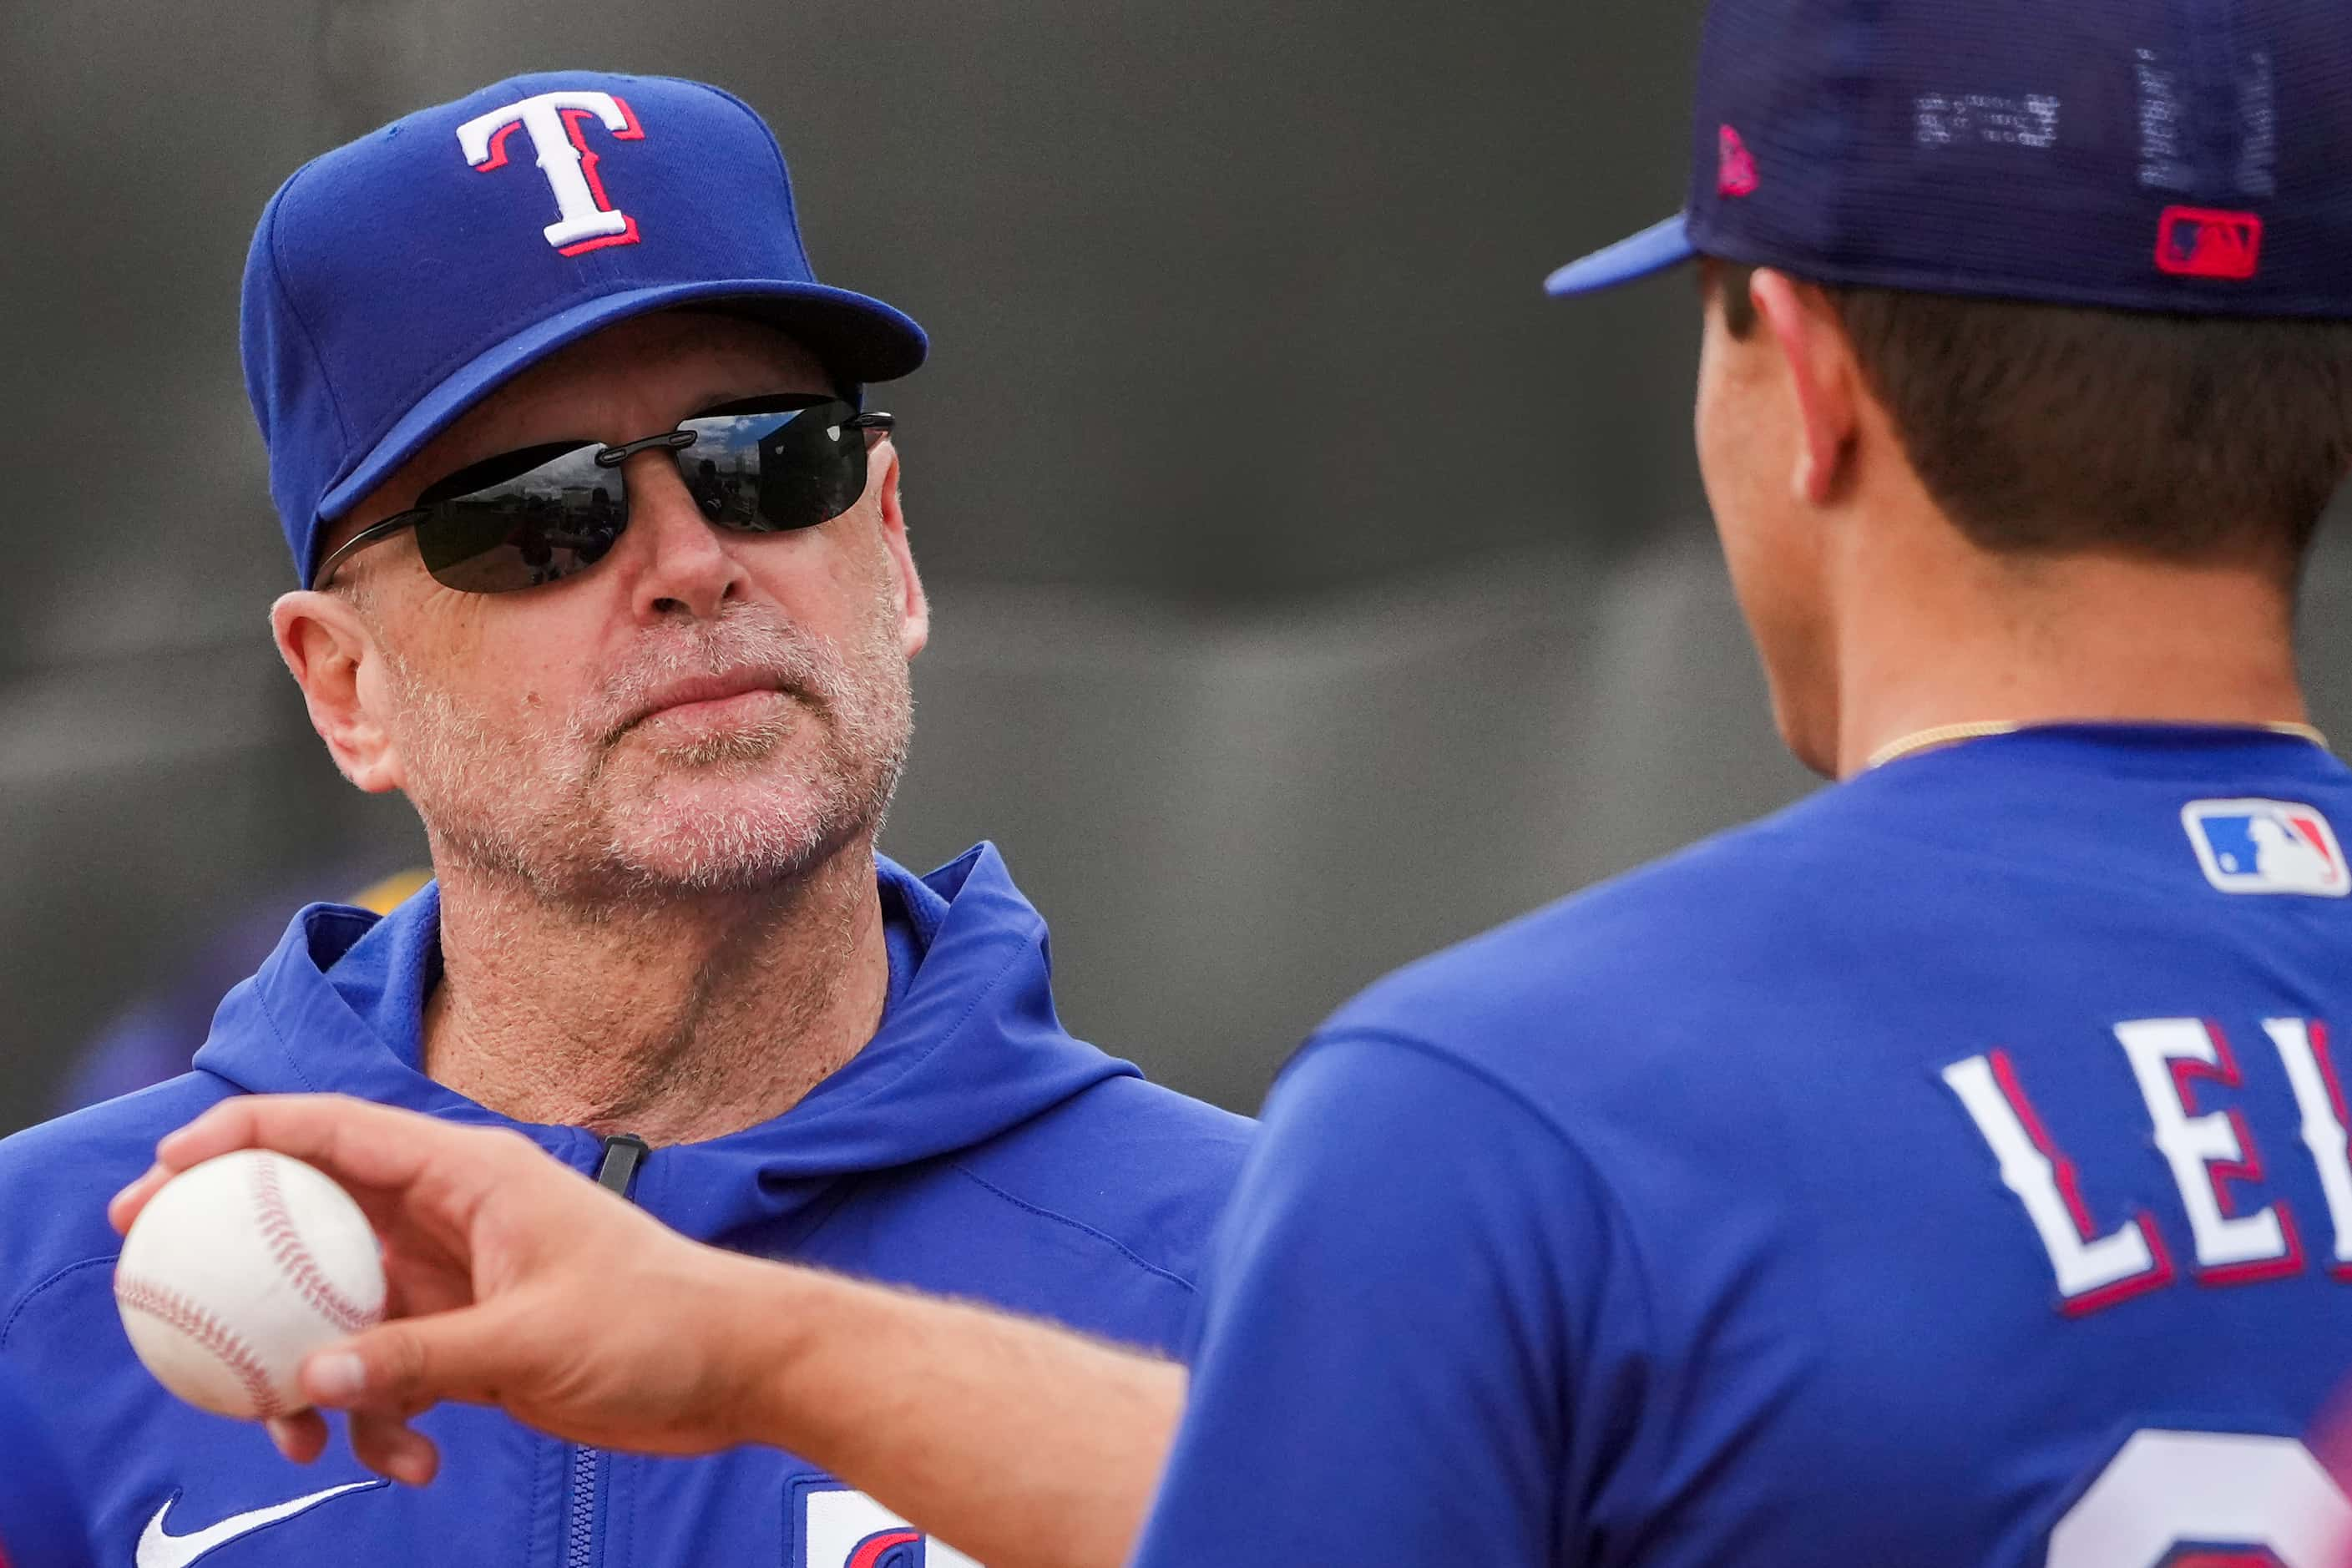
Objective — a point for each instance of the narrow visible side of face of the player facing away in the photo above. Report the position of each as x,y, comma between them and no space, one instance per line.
1749,448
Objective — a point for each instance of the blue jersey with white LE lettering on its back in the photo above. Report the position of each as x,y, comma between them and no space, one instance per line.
1946,1172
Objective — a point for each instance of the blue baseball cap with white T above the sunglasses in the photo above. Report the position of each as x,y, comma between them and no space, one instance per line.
401,279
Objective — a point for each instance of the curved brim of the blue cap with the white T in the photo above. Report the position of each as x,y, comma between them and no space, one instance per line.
857,337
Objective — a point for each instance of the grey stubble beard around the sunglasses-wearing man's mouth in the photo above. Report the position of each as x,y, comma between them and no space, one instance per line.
596,812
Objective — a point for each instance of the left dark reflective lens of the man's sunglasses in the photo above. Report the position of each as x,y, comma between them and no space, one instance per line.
521,521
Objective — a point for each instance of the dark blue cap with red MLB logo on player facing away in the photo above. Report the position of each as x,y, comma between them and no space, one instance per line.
2189,156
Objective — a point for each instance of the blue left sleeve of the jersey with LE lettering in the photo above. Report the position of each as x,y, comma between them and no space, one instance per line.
1384,1358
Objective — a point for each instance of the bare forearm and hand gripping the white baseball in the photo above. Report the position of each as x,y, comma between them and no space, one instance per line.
521,1285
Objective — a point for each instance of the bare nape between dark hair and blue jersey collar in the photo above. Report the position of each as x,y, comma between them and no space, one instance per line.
2085,638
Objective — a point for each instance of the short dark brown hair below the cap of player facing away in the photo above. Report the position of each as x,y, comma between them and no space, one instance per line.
2052,429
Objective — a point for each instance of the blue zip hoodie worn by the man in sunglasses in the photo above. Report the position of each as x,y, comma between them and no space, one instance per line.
970,1148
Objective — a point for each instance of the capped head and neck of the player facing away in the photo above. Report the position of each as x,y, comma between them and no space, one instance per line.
2054,356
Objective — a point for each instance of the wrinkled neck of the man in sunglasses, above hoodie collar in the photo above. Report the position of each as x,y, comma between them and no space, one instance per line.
676,1019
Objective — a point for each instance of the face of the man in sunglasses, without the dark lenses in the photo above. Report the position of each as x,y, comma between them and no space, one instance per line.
700,711
